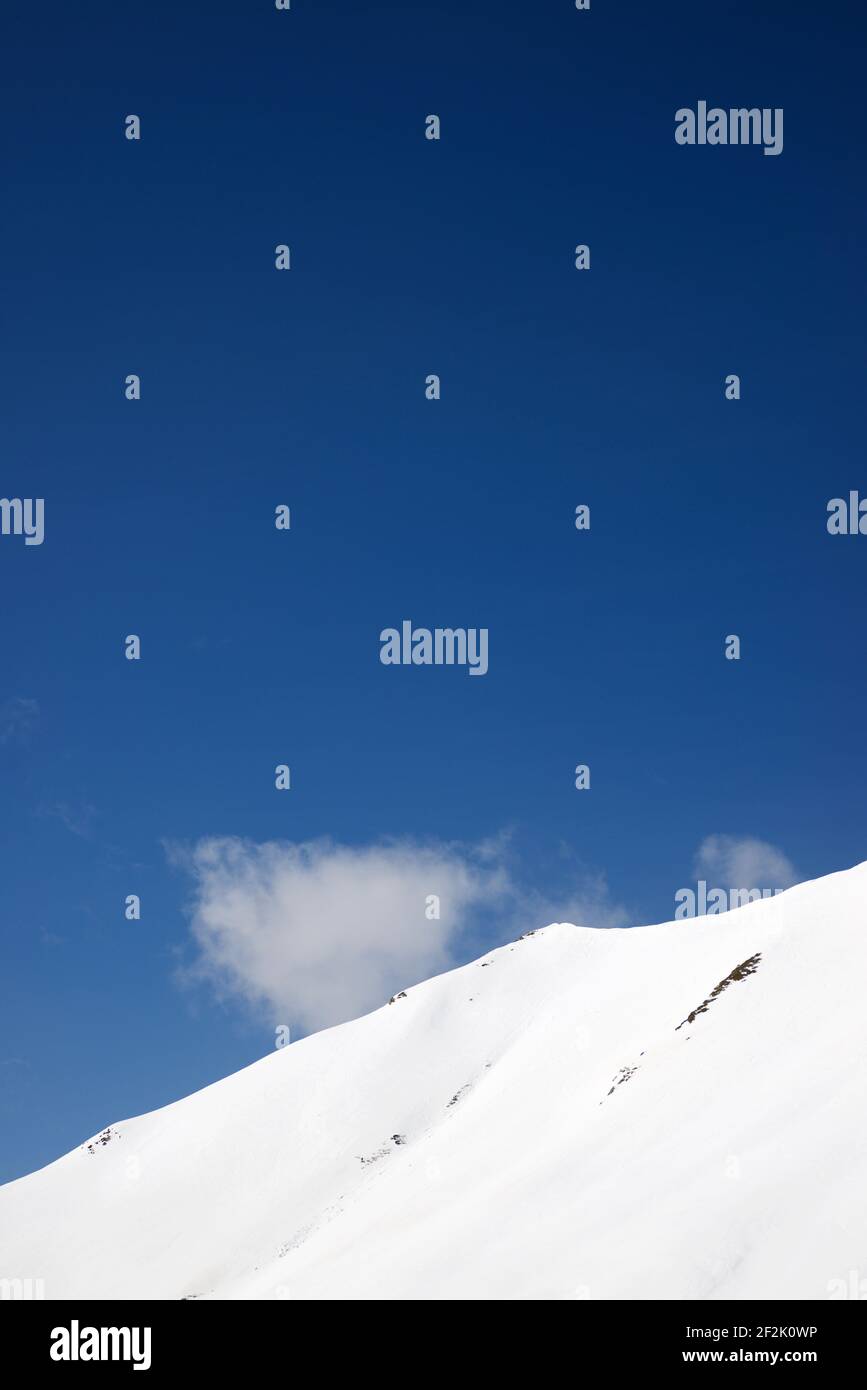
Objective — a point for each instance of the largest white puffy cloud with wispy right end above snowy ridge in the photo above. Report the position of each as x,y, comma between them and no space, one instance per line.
317,933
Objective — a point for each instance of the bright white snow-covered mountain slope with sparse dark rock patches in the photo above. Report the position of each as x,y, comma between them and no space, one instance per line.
662,1113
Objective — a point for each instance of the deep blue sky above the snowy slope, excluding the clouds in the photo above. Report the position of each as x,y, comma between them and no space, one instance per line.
308,389
